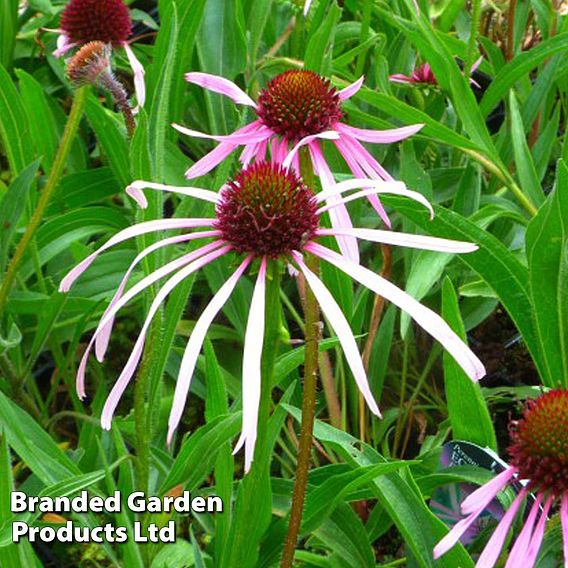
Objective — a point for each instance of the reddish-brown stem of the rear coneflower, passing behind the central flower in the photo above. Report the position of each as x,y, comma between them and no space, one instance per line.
312,333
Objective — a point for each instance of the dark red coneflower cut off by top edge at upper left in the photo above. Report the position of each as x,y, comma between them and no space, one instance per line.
108,21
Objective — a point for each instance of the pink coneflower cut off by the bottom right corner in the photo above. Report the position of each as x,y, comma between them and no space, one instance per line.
539,457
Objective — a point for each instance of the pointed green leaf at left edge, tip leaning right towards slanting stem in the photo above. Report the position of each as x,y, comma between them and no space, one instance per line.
11,208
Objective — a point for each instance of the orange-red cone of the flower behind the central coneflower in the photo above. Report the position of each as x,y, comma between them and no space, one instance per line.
300,103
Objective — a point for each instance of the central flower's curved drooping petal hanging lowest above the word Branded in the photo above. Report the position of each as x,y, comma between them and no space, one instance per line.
124,378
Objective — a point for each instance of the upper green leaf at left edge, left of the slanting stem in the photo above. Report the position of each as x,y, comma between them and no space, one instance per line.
14,127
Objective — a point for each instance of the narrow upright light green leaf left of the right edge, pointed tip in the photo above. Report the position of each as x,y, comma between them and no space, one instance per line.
523,158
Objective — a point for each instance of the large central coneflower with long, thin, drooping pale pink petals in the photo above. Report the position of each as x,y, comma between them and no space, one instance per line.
265,213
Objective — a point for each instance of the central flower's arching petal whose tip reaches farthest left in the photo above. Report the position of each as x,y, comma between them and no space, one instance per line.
129,233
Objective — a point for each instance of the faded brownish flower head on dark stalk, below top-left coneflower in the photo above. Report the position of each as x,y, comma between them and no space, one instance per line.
91,66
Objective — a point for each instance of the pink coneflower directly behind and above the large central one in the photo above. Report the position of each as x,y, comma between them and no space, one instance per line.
298,108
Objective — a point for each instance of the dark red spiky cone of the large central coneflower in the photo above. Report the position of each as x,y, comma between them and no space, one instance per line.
267,211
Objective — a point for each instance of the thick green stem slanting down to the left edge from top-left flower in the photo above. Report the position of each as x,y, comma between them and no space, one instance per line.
67,139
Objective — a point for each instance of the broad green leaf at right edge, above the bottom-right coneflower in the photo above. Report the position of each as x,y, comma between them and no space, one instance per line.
547,249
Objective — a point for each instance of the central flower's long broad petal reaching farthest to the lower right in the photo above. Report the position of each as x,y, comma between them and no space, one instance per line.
426,318
